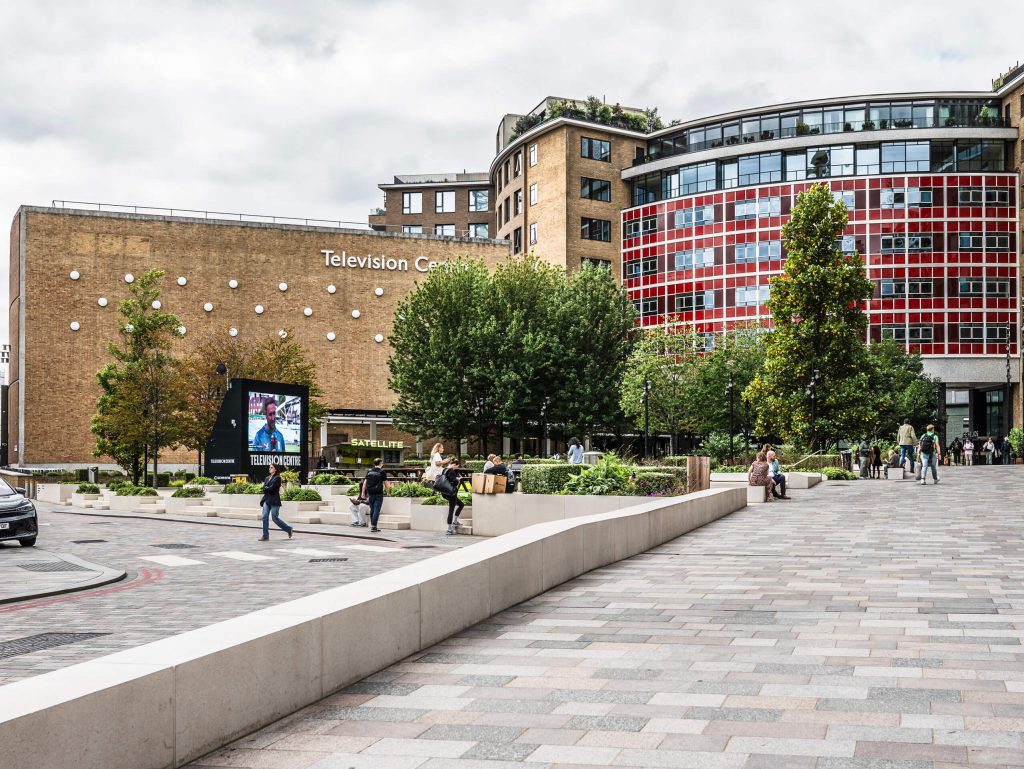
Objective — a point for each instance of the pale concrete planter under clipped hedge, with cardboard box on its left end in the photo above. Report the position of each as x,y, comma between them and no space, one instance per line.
500,514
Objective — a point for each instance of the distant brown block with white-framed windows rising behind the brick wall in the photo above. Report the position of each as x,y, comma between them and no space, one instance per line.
450,205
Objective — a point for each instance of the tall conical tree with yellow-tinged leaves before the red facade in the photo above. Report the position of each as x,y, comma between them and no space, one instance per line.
820,326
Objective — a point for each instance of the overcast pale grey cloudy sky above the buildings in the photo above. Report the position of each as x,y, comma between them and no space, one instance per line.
302,108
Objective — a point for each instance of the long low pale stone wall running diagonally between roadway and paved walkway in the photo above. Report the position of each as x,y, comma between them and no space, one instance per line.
168,703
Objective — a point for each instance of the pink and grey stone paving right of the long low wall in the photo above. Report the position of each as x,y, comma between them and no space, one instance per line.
871,625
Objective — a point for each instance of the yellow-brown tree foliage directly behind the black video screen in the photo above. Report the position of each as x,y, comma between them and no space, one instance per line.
273,359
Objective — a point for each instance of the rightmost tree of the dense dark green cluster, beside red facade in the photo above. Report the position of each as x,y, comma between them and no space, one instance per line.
591,322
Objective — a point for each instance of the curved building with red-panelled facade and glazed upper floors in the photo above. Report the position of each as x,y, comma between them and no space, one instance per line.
932,185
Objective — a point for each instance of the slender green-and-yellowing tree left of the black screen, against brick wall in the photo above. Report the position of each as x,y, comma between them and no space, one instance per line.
138,409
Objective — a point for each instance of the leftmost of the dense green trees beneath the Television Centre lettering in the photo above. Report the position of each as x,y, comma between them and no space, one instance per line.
441,349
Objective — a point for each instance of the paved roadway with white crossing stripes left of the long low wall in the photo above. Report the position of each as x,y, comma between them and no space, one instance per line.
222,572
